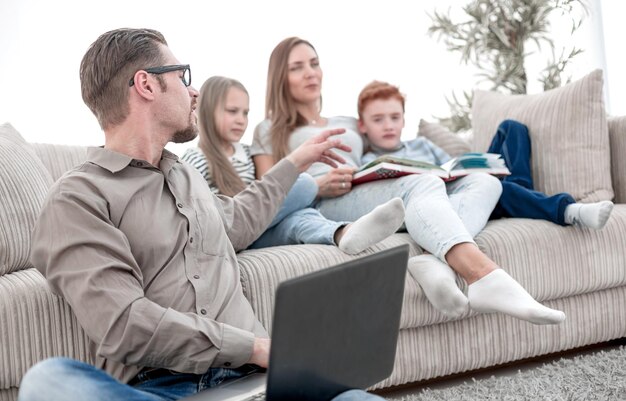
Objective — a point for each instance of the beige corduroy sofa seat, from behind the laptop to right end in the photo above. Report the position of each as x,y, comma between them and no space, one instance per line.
519,246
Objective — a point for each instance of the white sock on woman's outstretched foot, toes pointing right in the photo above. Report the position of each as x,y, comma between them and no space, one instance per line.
499,292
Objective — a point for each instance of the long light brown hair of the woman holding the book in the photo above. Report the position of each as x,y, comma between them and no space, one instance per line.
280,108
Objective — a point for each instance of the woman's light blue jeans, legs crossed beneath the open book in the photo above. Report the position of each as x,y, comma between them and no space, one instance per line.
438,215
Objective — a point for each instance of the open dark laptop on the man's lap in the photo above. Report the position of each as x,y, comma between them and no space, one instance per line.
334,330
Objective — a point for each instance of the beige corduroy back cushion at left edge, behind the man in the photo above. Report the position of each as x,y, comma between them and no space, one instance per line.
24,183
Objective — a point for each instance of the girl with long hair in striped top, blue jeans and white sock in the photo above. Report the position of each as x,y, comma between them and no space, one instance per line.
227,166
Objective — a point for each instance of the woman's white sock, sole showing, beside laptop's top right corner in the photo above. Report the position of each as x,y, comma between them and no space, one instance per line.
438,281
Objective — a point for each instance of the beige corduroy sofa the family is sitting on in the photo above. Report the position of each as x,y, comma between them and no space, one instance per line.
579,271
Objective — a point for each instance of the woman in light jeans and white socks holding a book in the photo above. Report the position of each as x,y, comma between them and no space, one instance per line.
293,107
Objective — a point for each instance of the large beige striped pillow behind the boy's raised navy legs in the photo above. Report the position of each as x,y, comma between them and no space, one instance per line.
569,134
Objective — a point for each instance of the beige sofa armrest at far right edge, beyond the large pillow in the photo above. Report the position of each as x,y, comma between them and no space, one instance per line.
617,140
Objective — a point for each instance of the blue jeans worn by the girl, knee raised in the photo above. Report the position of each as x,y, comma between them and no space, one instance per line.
296,222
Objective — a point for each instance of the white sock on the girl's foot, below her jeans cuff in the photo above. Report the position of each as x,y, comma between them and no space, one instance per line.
372,228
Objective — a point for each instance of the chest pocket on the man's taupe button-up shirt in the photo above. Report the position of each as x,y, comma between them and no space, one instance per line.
210,227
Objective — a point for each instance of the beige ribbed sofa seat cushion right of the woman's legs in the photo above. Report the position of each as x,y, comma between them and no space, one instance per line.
553,261
